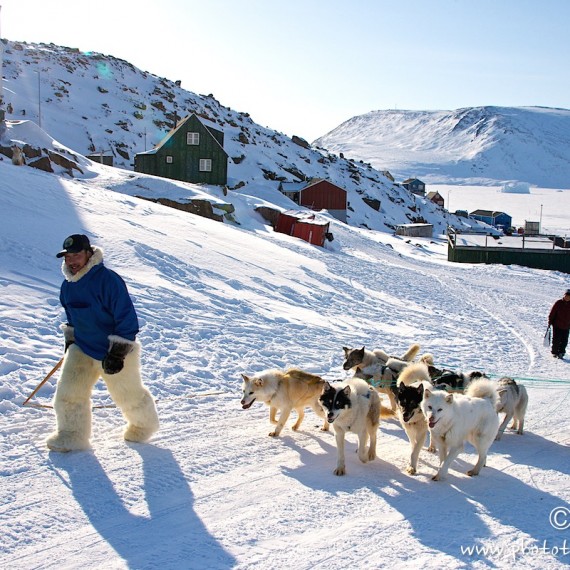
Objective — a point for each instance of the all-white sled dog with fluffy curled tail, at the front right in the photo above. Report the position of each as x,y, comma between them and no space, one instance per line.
456,418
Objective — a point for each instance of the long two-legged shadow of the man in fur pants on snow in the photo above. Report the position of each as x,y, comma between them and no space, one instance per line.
171,535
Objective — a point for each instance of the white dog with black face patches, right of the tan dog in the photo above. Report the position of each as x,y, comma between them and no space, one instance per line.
352,406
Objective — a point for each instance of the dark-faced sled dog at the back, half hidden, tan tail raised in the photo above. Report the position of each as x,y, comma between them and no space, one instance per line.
378,368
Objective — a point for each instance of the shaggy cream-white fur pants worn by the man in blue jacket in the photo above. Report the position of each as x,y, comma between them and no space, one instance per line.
72,403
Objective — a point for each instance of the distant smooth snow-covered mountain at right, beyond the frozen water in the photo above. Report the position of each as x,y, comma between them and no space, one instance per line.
485,145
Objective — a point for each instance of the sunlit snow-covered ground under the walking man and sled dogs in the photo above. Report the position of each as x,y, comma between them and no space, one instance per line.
215,300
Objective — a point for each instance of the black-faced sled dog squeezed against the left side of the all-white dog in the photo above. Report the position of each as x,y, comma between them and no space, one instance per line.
412,382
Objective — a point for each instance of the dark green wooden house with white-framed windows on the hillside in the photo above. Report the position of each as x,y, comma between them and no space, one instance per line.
191,152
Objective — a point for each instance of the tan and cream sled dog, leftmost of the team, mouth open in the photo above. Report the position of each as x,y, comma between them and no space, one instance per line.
284,390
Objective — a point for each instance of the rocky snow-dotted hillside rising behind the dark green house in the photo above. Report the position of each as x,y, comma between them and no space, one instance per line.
93,103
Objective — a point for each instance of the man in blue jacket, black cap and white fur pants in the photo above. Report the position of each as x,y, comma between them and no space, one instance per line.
100,341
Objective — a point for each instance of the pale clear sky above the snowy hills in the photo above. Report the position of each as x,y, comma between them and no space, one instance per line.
304,66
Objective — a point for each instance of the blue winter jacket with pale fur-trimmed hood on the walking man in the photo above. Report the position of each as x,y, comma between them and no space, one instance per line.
97,304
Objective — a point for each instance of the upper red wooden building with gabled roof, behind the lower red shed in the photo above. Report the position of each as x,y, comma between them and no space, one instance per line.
318,194
